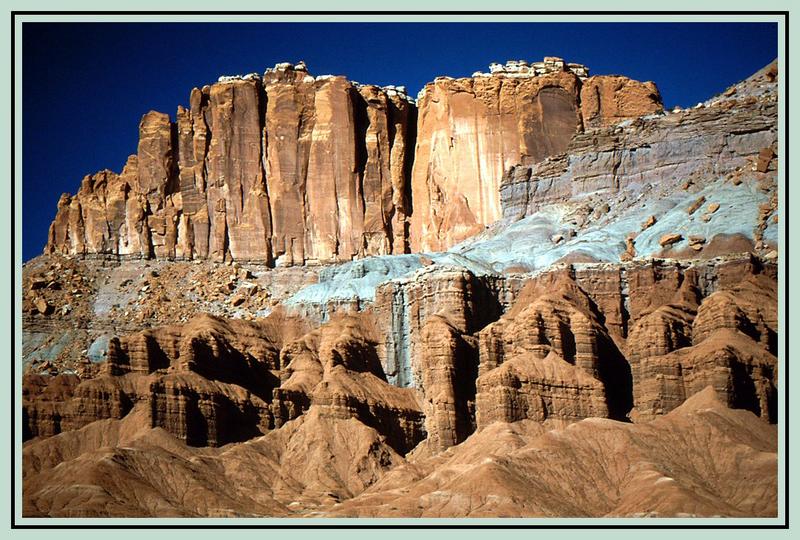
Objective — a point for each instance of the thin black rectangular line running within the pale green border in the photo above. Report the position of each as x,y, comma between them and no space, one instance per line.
785,76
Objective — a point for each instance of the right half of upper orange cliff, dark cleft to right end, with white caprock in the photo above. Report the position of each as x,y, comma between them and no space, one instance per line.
472,130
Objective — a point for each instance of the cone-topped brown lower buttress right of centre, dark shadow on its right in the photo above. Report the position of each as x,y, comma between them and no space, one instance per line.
550,357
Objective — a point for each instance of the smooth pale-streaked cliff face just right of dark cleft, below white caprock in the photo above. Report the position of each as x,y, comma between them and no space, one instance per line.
470,131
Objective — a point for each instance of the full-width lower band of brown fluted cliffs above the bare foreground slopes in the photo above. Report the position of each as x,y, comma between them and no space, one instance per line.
445,353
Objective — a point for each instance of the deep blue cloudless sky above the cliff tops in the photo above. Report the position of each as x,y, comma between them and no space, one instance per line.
86,86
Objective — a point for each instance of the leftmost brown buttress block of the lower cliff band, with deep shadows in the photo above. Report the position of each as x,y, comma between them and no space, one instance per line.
208,382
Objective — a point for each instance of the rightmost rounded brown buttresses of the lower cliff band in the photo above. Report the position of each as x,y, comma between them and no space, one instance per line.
726,340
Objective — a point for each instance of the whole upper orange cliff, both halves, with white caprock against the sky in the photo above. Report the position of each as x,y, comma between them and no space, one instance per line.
290,169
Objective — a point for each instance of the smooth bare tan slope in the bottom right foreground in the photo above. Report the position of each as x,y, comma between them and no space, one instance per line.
591,468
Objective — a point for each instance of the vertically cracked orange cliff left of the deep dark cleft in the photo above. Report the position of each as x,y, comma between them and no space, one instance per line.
286,169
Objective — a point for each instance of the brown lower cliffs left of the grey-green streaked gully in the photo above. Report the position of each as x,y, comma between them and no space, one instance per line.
215,381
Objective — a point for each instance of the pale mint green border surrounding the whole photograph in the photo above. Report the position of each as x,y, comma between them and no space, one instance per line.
5,502
